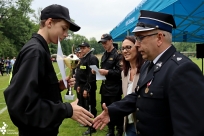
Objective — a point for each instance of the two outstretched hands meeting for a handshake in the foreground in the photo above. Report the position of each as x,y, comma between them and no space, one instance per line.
84,117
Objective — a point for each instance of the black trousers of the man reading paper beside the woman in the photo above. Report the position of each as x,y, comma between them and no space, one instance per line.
109,100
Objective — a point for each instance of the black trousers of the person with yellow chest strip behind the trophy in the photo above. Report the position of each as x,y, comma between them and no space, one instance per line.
90,100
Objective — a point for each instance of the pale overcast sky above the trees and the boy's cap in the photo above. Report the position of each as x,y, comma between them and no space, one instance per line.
95,17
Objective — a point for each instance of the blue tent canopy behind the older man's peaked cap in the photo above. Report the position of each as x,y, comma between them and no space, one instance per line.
188,15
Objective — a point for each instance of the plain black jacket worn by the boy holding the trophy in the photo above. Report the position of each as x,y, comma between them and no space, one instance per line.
33,97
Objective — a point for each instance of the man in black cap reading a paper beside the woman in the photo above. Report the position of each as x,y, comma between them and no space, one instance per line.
111,88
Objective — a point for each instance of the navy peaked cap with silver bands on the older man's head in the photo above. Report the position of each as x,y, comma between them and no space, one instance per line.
150,20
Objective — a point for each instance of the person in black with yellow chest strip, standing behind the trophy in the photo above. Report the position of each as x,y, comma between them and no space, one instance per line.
86,81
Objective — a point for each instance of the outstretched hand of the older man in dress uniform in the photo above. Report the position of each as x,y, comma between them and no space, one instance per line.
103,119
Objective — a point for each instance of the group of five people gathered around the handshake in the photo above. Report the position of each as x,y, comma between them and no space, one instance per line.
163,90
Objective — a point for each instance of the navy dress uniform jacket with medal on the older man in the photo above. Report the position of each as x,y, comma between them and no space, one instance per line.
174,103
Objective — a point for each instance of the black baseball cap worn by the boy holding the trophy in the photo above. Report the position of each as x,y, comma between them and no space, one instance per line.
58,12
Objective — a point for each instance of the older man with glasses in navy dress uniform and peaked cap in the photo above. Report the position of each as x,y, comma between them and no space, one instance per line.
169,97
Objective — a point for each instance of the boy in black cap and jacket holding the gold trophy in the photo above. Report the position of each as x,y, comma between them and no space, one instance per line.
33,97
